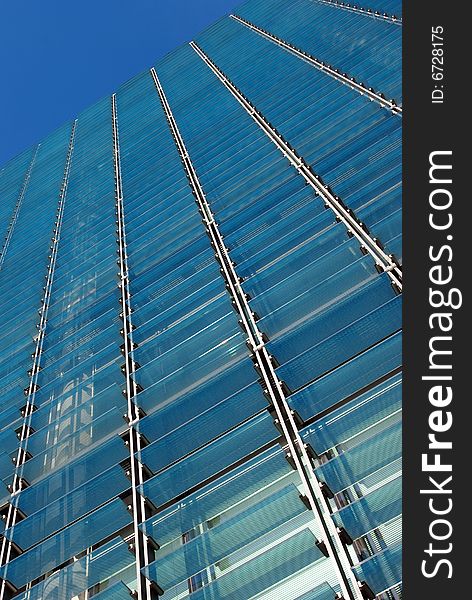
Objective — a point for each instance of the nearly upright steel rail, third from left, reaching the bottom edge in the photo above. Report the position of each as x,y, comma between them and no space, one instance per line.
144,591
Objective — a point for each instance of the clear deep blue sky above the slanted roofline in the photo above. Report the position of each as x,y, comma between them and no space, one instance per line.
59,56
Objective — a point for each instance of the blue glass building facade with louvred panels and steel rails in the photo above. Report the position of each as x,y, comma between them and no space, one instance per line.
201,345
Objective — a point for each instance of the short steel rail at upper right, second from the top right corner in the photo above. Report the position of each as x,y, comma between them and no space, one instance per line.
344,78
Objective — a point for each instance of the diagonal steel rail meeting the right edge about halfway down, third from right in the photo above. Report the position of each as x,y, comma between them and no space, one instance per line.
383,261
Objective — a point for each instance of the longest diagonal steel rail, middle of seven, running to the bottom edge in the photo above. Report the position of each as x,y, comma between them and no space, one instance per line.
273,387
